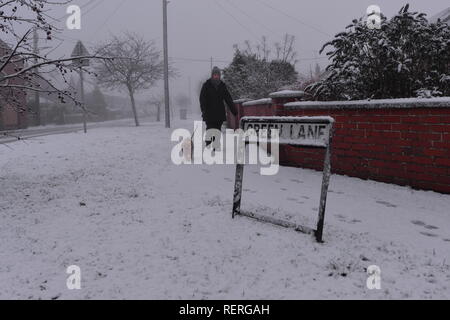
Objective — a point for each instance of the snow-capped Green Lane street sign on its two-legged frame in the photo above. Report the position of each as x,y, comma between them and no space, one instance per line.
312,132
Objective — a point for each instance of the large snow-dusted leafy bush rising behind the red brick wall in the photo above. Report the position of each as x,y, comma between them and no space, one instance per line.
407,57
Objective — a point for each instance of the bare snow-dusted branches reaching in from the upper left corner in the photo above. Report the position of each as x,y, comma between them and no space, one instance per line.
22,68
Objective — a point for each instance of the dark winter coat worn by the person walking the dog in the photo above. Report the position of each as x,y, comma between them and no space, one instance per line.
212,102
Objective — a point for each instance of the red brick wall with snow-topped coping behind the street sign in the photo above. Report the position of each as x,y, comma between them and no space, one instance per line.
400,143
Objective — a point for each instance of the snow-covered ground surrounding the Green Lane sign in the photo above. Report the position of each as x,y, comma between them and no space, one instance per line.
140,227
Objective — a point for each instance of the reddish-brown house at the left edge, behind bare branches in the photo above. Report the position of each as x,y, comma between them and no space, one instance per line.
13,107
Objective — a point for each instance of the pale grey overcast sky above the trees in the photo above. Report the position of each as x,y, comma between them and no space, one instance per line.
200,29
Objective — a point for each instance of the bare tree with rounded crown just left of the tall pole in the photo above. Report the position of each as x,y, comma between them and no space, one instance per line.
140,70
